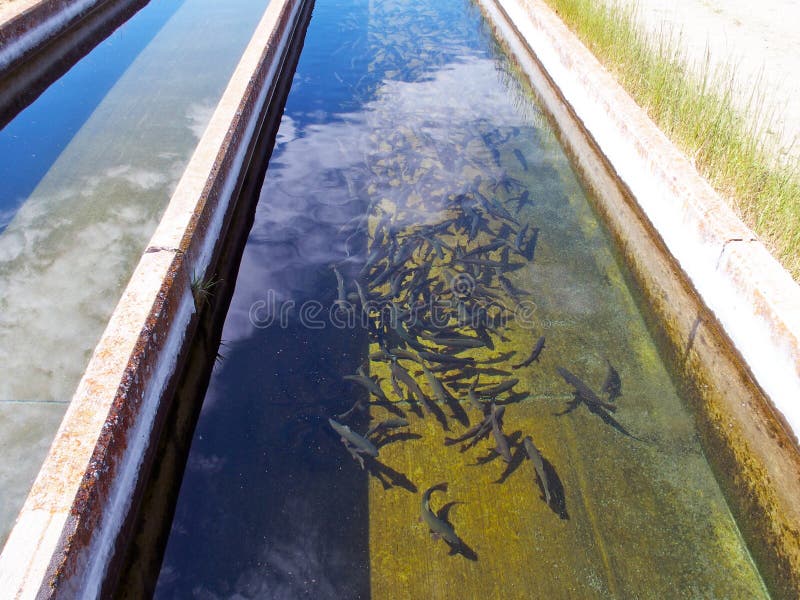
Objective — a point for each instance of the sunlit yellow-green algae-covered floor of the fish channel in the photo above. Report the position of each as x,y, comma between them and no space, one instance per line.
645,518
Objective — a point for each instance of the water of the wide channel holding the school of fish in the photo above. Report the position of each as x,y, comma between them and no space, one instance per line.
403,116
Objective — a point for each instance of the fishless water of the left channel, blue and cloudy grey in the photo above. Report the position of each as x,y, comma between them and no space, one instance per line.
87,171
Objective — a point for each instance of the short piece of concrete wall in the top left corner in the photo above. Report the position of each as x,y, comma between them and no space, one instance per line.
27,31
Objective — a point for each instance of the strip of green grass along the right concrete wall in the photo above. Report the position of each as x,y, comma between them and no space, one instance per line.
730,146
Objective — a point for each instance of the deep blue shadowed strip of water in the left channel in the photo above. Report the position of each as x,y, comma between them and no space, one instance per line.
32,141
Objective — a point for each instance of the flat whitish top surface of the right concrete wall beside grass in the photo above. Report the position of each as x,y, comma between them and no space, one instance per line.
754,297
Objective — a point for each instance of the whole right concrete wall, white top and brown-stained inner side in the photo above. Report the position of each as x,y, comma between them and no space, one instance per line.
729,312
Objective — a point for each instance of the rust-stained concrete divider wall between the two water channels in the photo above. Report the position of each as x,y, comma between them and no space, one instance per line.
67,532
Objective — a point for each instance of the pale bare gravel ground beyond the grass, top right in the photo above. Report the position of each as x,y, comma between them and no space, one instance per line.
761,40
